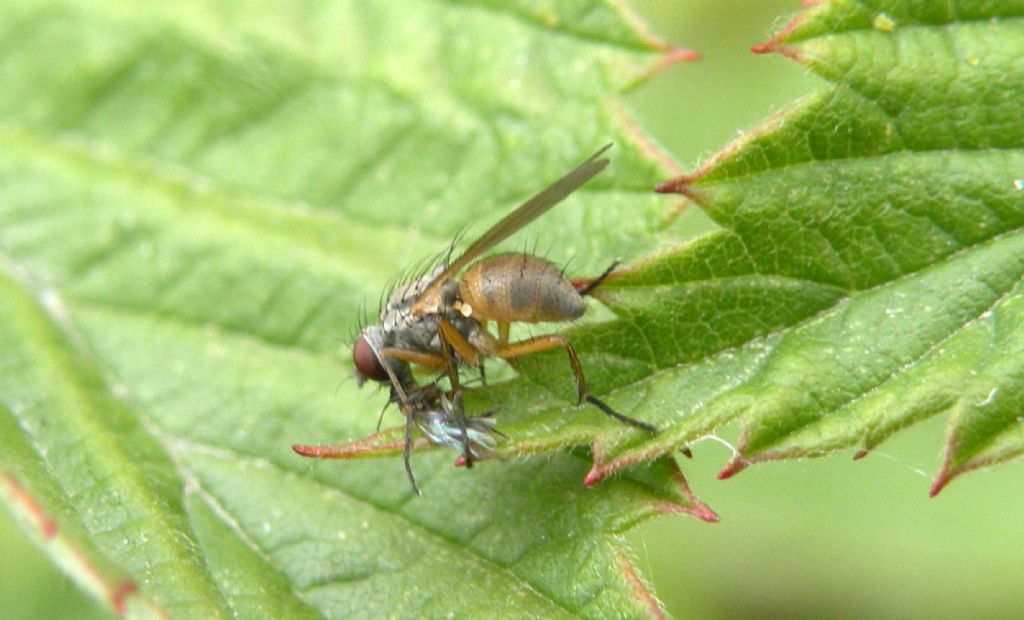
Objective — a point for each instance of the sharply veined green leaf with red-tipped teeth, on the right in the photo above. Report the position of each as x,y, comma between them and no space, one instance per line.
868,274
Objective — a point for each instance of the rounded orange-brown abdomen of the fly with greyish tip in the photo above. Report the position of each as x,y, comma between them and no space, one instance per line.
520,287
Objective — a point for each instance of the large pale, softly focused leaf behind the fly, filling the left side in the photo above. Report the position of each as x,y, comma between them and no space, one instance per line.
196,198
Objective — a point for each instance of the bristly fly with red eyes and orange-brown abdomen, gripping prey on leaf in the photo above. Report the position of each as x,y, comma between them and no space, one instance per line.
439,321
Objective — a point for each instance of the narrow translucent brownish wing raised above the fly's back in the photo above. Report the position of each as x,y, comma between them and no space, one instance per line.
524,215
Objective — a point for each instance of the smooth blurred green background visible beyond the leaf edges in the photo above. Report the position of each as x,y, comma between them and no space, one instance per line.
807,540
